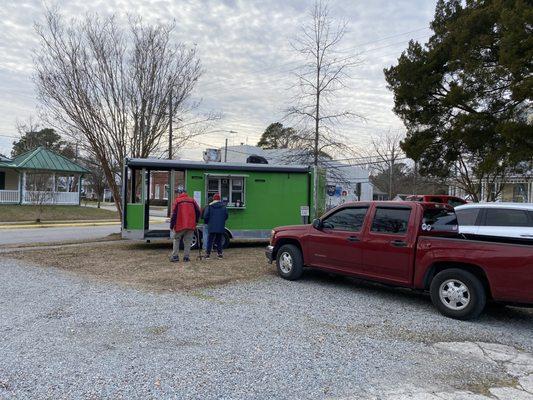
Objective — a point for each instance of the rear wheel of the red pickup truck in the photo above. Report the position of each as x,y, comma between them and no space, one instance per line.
458,294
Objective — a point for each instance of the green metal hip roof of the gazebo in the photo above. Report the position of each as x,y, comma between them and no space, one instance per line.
43,159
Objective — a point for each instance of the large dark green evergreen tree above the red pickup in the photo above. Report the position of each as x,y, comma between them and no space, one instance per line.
465,96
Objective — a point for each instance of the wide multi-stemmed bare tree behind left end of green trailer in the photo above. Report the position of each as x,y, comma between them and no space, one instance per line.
112,85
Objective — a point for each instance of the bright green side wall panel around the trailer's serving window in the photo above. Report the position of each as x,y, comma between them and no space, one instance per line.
268,204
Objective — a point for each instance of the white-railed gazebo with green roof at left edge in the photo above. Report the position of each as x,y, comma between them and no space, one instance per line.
40,176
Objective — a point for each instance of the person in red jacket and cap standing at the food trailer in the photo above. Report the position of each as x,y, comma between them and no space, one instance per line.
185,216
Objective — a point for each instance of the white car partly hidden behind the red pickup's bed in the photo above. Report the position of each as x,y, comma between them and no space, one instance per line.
496,219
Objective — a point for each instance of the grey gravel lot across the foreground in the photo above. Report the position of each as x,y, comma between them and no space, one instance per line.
62,336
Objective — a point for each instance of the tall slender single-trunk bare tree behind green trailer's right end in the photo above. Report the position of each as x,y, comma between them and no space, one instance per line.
322,75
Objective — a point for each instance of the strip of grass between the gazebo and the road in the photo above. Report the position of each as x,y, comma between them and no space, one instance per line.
24,213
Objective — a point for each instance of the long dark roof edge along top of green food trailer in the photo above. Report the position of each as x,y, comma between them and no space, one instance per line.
161,165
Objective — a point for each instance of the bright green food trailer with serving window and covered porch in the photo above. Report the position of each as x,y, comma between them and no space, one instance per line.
259,197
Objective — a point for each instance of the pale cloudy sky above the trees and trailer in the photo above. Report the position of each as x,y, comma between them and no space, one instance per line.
244,47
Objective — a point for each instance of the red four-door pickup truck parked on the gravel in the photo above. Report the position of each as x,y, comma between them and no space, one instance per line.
410,244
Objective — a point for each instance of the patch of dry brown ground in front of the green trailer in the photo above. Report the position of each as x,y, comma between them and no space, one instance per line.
147,266
